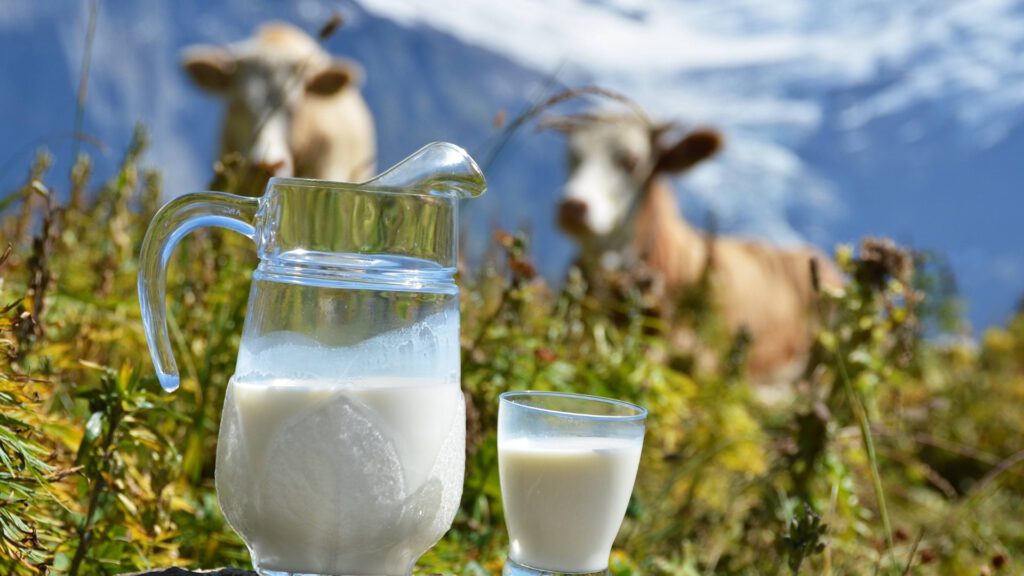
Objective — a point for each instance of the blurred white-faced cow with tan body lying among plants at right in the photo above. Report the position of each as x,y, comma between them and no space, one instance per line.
622,213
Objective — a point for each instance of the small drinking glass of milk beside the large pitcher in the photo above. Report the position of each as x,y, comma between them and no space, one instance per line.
568,464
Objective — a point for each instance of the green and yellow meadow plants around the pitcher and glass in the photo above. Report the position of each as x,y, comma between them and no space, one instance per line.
892,454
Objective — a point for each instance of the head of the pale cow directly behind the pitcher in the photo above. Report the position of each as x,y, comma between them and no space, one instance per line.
267,80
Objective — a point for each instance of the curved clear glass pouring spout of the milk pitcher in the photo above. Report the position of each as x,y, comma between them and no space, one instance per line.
439,170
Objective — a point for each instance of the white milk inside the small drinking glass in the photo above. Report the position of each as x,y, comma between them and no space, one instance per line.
565,499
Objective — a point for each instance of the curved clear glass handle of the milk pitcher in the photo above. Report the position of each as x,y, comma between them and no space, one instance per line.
170,225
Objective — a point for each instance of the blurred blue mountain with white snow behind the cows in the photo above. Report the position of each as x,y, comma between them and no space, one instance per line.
845,118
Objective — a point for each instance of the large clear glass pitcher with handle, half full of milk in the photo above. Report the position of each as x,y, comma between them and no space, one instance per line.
343,440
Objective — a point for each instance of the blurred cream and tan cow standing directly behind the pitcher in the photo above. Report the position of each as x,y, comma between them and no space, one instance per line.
291,106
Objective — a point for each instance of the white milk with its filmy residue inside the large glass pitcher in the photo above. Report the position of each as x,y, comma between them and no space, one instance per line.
344,461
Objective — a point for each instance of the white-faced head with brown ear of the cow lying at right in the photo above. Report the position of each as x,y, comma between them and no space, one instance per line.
612,162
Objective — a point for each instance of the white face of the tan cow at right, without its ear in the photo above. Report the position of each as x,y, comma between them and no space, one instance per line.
610,161
